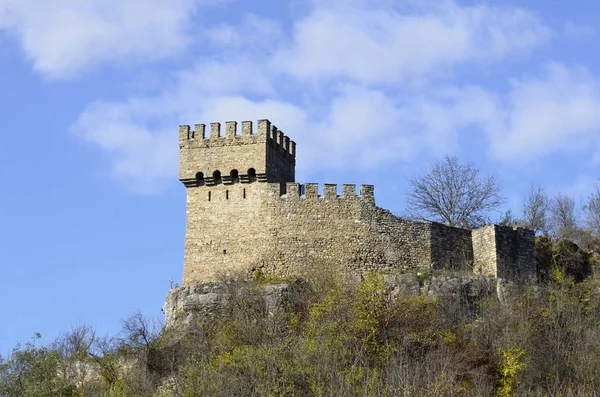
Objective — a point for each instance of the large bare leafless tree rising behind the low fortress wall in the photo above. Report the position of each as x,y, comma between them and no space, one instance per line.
453,193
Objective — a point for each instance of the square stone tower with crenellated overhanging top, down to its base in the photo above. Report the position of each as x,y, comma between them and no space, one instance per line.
225,178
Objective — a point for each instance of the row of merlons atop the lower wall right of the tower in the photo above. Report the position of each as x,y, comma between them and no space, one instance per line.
292,190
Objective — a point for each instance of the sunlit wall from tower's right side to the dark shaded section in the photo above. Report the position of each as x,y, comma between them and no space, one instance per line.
339,230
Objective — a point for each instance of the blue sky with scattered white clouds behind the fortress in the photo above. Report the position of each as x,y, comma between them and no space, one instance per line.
92,93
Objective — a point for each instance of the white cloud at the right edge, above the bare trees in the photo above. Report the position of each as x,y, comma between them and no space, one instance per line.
555,111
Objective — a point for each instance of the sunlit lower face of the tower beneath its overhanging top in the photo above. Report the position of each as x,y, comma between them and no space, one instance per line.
226,233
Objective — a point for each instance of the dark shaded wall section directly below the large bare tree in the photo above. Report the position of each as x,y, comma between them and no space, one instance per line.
451,247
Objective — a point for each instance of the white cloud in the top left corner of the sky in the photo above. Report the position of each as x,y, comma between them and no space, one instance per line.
64,37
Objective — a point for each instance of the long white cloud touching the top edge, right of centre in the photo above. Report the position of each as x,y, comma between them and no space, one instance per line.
373,44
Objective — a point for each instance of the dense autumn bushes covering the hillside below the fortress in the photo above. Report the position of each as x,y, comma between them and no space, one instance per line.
335,340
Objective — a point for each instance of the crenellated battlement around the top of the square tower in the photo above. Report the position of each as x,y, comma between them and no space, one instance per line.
247,135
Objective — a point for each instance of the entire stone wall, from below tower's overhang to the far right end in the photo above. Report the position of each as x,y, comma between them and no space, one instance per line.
275,228
